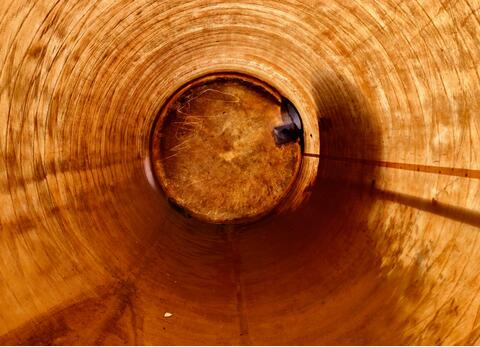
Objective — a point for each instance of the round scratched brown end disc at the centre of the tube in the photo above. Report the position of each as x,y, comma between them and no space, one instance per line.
215,152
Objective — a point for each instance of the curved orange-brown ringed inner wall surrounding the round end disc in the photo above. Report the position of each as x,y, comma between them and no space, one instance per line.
385,250
